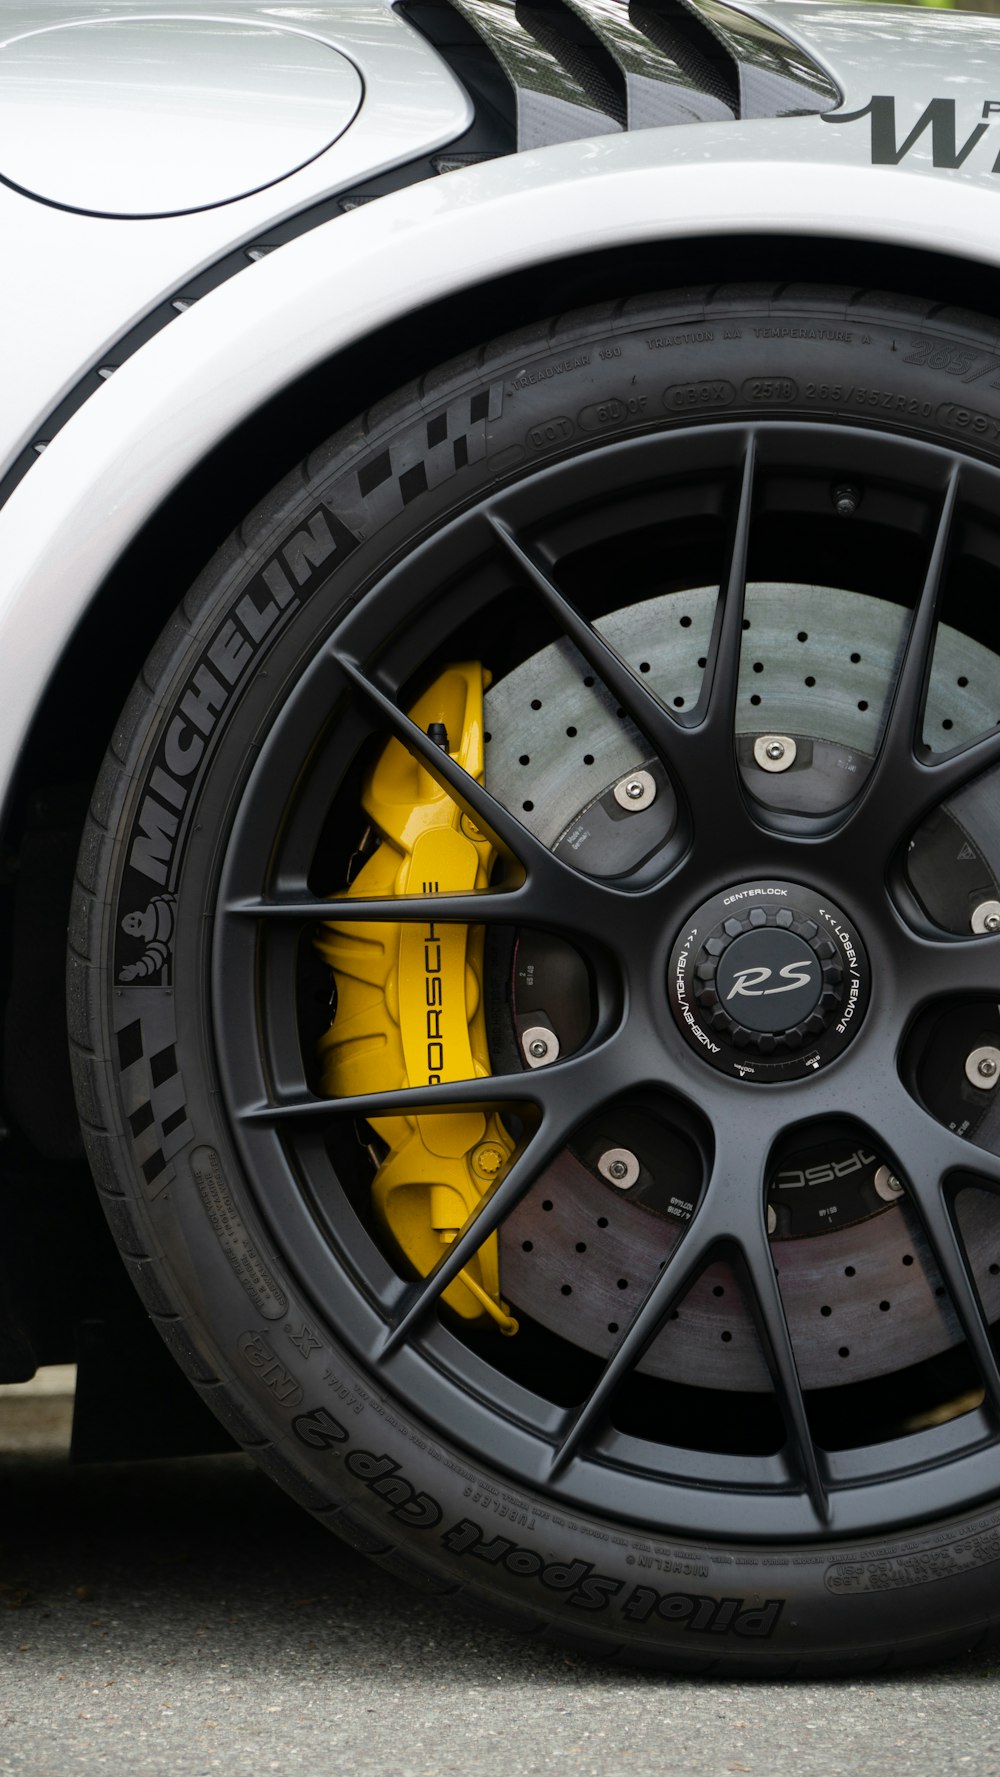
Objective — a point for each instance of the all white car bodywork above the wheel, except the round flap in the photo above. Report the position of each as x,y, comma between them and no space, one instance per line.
75,283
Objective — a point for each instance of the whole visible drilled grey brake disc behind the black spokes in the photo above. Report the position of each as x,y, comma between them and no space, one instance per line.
578,1255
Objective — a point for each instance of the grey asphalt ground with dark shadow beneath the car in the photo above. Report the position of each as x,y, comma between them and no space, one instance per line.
173,1620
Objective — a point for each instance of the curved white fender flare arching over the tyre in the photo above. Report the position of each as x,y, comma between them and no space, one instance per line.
150,426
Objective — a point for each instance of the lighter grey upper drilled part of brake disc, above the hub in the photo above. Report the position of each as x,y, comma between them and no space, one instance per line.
818,662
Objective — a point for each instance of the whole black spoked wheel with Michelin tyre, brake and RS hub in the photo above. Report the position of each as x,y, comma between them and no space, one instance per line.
536,982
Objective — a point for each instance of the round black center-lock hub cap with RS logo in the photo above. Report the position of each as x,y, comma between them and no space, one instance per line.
768,982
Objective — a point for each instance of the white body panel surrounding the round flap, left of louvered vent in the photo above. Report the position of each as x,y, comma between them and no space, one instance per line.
74,283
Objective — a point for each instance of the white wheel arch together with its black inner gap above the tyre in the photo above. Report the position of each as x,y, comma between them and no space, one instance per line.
328,326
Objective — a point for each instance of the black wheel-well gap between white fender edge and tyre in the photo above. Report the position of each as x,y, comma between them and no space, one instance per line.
116,630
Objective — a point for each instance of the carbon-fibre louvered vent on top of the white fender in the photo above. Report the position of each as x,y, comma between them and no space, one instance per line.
596,67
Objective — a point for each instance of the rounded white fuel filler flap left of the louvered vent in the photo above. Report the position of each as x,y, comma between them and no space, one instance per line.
198,113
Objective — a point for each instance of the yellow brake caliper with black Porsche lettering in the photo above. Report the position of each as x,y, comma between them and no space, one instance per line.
411,1000
